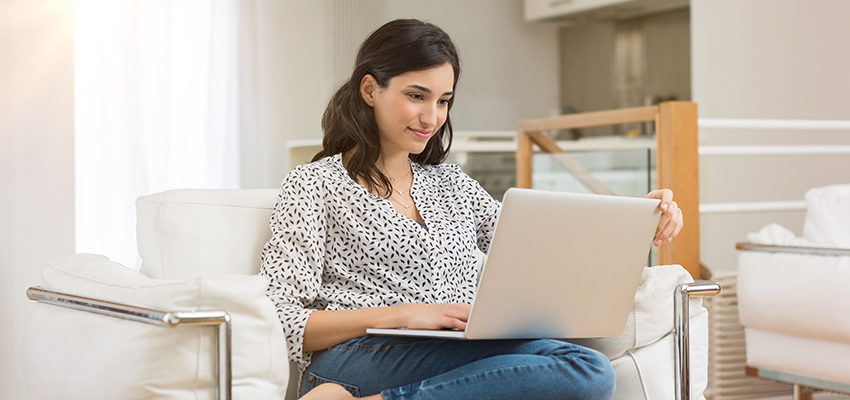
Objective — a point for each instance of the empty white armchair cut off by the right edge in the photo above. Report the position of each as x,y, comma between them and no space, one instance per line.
794,297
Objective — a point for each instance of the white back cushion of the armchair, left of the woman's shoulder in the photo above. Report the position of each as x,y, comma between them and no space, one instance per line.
186,233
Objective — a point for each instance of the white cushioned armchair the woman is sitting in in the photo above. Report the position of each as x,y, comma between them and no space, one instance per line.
201,251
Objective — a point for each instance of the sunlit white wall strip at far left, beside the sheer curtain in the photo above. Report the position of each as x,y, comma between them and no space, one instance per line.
36,160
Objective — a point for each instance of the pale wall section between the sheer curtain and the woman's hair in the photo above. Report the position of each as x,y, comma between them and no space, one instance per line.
285,83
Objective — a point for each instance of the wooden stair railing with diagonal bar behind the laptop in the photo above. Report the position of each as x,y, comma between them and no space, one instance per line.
677,163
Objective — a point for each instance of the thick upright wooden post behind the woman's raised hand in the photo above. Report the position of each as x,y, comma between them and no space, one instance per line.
678,170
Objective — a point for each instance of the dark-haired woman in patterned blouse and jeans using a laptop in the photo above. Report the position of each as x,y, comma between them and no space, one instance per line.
377,233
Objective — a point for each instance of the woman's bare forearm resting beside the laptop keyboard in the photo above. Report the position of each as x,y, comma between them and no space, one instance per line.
328,328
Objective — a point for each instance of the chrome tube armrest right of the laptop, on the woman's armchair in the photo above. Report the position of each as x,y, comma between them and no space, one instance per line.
682,328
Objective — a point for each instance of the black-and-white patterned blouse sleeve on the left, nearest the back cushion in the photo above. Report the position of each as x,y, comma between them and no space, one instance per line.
292,259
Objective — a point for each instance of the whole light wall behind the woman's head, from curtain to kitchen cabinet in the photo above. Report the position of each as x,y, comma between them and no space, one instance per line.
305,50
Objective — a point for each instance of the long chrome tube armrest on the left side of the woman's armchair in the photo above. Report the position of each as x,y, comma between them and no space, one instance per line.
215,318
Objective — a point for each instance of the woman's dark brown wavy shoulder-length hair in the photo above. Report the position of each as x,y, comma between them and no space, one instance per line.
397,47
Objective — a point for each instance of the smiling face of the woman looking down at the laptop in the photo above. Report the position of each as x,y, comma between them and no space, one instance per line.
412,107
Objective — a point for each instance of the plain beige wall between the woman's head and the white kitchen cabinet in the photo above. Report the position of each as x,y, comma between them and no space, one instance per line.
509,66
